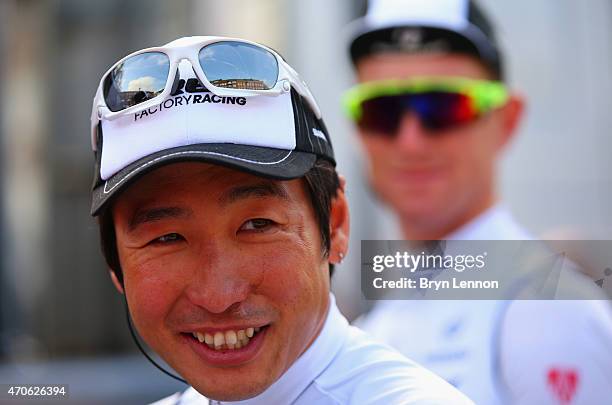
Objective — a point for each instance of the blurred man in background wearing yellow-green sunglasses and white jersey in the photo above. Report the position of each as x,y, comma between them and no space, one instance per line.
434,116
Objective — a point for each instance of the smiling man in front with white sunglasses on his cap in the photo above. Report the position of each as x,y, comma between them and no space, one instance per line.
221,221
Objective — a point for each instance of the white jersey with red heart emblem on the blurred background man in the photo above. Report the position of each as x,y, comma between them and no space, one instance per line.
503,352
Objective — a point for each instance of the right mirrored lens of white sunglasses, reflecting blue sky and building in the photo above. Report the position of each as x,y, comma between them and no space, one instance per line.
238,65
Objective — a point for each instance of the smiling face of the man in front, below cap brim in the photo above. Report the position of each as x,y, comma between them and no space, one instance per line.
216,251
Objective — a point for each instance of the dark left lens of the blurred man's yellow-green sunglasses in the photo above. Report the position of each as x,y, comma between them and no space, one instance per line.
381,115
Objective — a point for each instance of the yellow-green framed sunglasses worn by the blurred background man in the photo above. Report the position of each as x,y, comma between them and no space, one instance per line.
440,103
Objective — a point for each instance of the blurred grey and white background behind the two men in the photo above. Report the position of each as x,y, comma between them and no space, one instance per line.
60,316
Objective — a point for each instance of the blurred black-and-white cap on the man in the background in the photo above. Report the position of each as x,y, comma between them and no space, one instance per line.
415,26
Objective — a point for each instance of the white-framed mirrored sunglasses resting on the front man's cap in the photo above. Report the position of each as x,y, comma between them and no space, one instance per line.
225,66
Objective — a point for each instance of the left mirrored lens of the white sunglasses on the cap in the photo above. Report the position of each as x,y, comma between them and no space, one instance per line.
136,79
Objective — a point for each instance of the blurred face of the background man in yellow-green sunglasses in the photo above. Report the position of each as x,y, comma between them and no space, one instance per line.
433,180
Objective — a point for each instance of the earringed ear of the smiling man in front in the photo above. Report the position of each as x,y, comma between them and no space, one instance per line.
339,225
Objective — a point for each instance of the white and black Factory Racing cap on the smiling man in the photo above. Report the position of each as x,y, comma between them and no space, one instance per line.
279,136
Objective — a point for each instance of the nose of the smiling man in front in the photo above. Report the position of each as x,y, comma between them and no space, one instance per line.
219,280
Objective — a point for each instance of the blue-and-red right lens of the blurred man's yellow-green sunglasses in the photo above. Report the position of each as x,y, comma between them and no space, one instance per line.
442,110
